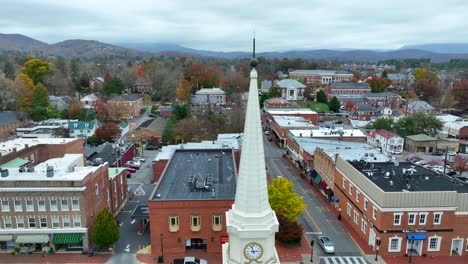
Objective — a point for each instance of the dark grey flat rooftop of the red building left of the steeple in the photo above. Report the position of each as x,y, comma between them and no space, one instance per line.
198,175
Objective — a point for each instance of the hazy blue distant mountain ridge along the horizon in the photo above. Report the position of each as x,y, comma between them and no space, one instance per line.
92,48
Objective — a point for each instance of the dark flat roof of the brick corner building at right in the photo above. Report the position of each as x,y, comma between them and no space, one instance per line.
408,177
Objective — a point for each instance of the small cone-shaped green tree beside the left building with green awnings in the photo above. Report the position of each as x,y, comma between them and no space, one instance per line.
106,231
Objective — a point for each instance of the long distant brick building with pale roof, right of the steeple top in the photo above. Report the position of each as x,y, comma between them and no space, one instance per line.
318,77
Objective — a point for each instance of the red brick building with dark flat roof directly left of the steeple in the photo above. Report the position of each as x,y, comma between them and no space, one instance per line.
187,208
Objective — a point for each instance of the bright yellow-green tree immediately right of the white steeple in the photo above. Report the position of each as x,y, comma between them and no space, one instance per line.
283,200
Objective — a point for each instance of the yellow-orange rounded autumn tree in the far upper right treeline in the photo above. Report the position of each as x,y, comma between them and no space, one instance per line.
426,84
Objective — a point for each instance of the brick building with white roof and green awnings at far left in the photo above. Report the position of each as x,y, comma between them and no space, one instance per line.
55,203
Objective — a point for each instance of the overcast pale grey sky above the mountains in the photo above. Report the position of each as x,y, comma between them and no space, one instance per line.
227,25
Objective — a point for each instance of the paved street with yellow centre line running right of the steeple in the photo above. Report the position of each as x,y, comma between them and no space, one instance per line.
316,219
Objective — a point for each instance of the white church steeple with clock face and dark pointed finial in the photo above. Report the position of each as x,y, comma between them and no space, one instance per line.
251,223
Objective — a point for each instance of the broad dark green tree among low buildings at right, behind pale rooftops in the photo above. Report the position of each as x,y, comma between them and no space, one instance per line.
419,123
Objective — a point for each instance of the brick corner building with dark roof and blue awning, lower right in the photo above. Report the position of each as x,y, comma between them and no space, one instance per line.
408,208
